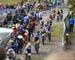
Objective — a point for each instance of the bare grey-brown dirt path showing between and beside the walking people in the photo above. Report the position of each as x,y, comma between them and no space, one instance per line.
55,44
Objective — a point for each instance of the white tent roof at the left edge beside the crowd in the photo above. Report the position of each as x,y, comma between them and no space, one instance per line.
4,33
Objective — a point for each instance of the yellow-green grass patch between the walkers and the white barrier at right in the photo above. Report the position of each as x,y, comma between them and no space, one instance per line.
57,31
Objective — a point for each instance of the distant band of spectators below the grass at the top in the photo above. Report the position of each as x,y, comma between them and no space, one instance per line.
27,6
